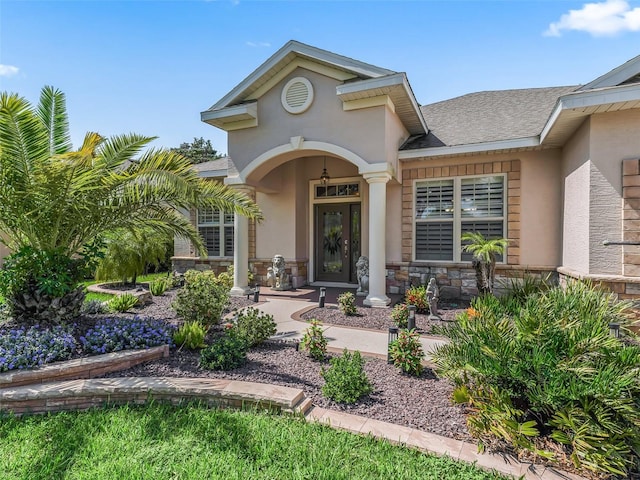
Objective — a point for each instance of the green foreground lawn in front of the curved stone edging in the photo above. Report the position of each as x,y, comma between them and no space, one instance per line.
165,442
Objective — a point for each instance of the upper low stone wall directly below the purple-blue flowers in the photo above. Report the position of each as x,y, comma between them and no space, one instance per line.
86,367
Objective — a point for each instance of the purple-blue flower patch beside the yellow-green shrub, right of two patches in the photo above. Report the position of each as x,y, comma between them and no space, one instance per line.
115,334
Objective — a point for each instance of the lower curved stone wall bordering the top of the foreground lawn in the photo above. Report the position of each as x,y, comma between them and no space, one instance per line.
84,394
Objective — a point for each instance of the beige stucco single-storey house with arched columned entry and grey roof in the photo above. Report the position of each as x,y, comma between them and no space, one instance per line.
554,170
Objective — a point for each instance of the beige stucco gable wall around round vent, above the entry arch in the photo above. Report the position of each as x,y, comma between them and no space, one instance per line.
359,131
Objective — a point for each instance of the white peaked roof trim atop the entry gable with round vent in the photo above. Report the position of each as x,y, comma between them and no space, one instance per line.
293,46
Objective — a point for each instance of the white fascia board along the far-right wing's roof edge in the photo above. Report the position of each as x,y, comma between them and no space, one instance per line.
590,98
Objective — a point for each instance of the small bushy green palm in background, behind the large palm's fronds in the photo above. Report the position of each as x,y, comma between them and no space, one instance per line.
130,253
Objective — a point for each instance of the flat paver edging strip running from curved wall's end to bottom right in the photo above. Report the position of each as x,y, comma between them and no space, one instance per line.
436,444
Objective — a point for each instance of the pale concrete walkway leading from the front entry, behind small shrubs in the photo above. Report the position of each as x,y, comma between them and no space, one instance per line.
370,342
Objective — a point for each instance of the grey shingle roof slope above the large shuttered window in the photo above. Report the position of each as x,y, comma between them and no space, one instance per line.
490,116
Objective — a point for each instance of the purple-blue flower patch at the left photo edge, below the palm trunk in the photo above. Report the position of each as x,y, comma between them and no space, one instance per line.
31,347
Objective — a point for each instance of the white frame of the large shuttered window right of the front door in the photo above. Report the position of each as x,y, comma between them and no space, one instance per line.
457,216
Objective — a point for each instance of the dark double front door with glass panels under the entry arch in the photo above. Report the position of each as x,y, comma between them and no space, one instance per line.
337,241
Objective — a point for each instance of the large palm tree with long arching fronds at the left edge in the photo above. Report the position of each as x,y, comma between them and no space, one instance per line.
58,201
